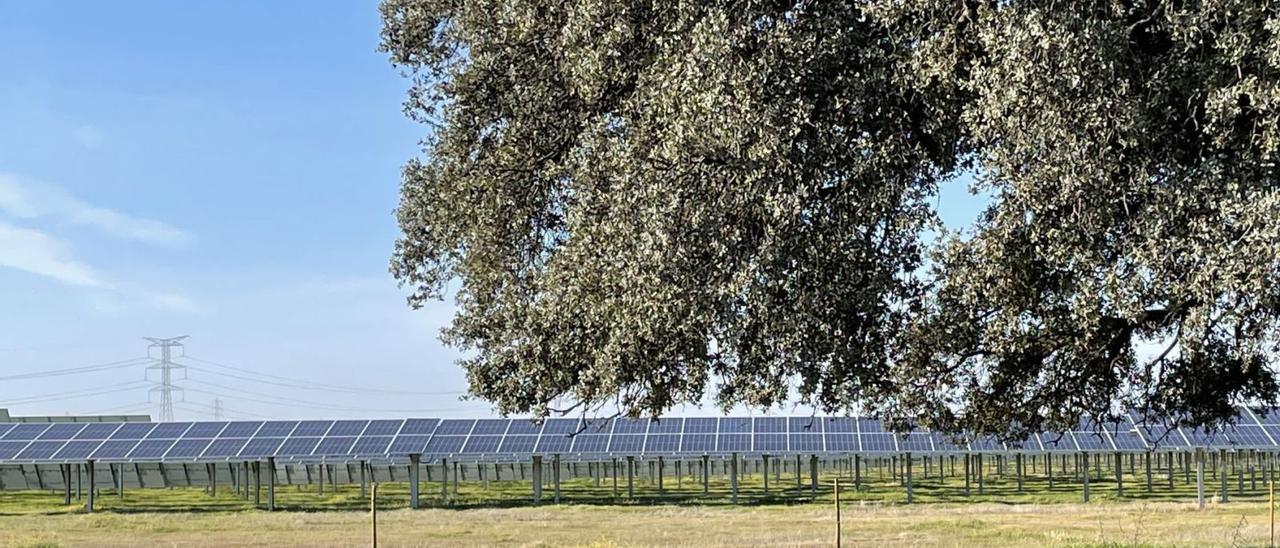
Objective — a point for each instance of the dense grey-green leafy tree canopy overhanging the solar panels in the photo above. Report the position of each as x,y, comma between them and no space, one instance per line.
641,203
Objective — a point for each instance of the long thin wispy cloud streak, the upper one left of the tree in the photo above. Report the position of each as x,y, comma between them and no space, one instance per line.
28,199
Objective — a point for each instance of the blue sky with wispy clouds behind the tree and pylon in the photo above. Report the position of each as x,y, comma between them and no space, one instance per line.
221,170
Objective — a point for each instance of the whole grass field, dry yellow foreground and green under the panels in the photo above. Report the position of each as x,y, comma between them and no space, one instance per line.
500,515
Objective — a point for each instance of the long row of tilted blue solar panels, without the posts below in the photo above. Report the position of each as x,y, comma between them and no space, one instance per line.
310,440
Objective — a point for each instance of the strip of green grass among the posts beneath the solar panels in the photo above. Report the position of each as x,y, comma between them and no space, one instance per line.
876,488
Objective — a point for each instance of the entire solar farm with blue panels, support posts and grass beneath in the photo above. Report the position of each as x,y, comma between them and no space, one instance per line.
765,464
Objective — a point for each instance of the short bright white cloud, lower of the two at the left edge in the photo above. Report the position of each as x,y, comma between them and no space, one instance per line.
38,253
